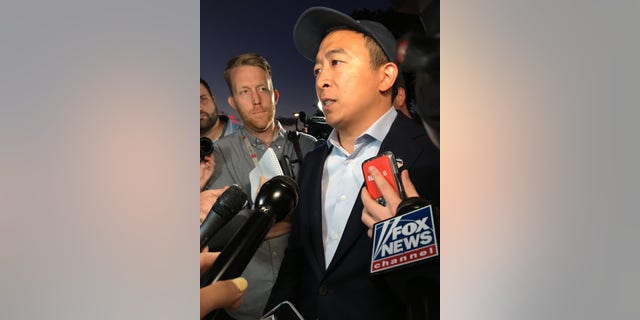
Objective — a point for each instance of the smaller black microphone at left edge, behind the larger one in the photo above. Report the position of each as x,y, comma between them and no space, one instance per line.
228,204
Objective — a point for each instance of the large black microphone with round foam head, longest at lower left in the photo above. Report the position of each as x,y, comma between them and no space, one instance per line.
276,199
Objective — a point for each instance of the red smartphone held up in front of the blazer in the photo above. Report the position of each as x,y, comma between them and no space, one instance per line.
387,165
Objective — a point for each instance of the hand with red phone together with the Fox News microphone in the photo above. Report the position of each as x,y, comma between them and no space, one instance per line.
402,243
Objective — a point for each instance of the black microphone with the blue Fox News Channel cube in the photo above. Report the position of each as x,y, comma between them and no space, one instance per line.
406,258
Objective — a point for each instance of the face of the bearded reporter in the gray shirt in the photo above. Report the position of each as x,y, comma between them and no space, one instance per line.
253,98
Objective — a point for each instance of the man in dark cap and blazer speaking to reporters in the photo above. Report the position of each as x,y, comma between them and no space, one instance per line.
325,269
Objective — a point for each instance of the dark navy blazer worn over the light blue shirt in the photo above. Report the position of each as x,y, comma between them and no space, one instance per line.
343,290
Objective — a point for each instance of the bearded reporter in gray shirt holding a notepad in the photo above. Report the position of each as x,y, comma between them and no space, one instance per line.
253,96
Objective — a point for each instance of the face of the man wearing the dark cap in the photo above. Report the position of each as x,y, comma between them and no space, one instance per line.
345,83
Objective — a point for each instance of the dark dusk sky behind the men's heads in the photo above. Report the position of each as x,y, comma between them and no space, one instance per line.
229,28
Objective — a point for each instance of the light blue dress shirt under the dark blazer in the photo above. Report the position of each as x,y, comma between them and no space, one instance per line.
342,180
